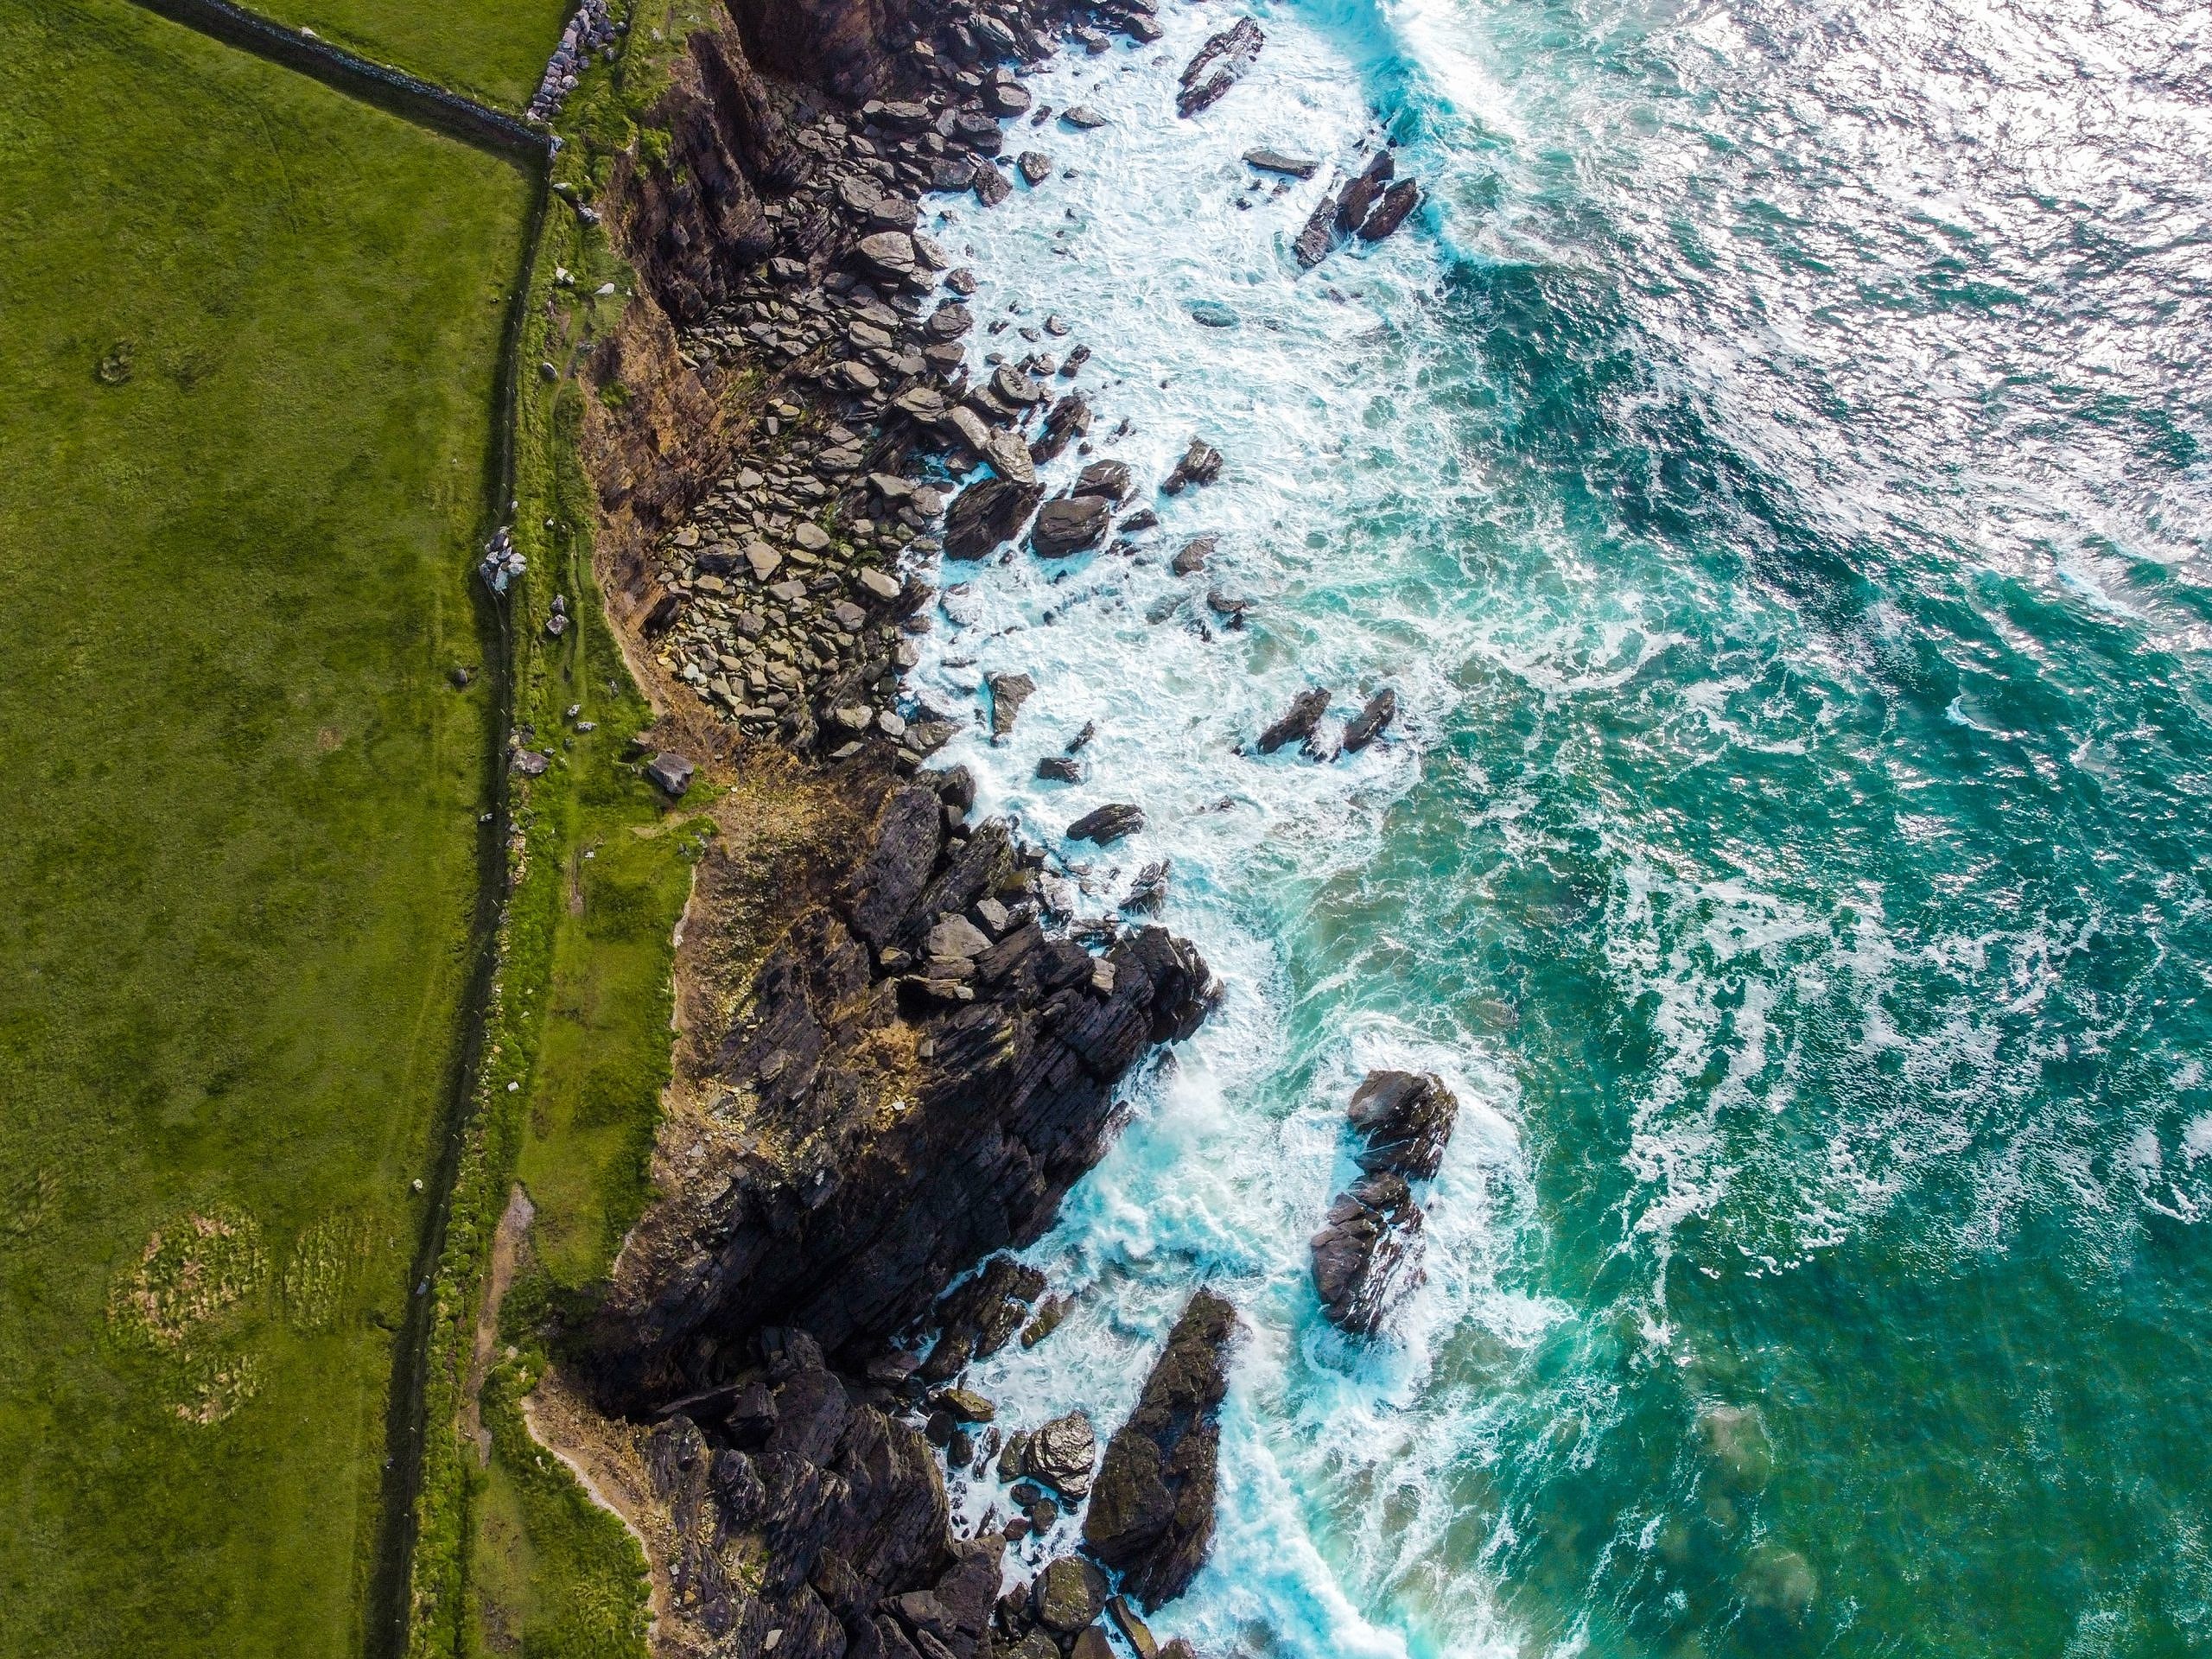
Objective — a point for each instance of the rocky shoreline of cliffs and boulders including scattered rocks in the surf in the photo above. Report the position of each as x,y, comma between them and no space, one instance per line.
926,1052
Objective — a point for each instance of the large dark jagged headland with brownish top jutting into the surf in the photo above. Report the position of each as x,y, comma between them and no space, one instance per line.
899,1109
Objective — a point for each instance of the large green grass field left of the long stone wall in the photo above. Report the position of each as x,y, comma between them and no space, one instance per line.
247,393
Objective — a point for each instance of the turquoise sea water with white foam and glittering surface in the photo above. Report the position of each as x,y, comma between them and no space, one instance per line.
1773,472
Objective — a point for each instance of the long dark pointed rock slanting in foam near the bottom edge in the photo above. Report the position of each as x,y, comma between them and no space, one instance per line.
1154,1507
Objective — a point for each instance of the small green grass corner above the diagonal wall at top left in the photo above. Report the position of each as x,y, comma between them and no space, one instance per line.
492,50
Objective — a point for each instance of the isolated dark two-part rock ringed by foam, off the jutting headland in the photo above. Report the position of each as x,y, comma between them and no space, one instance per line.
1366,1253
